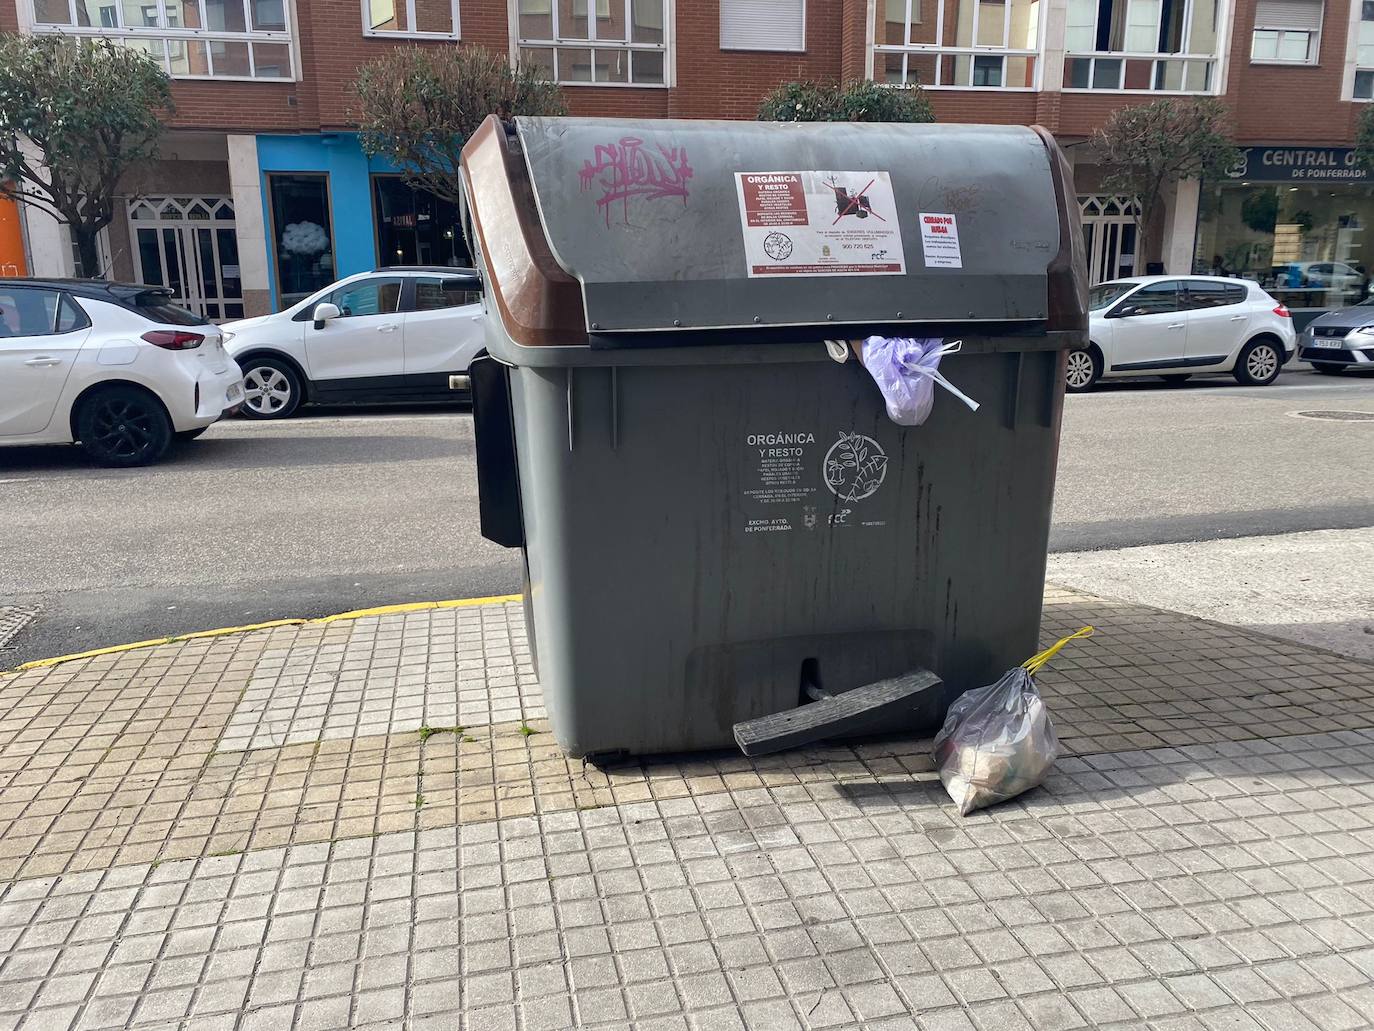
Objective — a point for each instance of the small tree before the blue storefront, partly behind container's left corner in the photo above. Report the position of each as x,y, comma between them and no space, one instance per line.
418,105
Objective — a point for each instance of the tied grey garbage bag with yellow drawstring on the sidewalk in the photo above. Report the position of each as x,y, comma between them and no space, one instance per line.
1000,742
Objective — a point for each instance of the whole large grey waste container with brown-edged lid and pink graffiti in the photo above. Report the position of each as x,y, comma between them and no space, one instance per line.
714,511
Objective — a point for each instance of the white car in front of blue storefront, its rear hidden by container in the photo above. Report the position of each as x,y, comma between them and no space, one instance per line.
385,336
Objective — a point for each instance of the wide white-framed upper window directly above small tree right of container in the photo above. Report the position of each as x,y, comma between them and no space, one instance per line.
1142,46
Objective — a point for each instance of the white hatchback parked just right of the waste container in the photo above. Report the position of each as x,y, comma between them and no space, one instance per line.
1175,326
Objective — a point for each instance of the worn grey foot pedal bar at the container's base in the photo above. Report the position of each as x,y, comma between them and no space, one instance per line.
835,716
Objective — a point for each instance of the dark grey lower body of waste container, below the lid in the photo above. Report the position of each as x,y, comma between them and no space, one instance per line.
685,571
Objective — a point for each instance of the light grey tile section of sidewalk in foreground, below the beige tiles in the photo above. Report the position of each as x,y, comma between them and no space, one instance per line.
847,908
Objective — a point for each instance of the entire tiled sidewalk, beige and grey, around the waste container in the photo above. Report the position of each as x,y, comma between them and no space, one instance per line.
368,824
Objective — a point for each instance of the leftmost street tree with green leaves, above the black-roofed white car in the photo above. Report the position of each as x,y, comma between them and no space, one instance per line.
75,118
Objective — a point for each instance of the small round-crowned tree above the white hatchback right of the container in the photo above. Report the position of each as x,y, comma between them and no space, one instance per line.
1144,149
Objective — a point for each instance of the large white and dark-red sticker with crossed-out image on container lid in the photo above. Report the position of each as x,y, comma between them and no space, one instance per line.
820,225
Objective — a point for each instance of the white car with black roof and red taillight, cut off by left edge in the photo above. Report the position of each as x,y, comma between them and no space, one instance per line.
116,368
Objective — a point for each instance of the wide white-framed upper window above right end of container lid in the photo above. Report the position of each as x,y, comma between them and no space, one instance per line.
958,45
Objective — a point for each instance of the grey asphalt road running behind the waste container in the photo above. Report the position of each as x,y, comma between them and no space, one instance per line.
346,509
